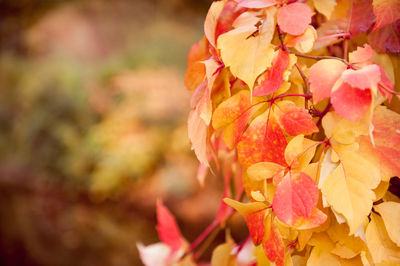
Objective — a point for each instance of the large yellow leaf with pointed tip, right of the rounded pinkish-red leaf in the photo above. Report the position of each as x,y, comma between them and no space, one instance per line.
348,189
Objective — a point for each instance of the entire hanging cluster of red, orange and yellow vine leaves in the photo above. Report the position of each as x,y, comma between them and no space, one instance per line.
295,103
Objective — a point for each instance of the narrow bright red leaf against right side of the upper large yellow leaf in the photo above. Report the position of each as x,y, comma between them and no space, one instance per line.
274,76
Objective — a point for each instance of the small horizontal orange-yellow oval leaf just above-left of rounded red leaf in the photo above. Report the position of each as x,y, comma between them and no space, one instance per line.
265,170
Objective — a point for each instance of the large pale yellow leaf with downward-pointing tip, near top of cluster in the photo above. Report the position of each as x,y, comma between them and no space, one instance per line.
246,49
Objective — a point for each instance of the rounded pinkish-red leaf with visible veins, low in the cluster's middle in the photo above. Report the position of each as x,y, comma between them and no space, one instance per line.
295,197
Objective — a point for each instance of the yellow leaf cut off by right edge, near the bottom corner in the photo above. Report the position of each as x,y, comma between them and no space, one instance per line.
390,212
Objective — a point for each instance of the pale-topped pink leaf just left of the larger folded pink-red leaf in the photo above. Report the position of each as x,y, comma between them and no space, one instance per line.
323,76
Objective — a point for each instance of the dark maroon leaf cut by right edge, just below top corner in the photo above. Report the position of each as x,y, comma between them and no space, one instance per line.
387,39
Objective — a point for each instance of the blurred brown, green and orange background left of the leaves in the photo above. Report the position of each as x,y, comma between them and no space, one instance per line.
93,128
